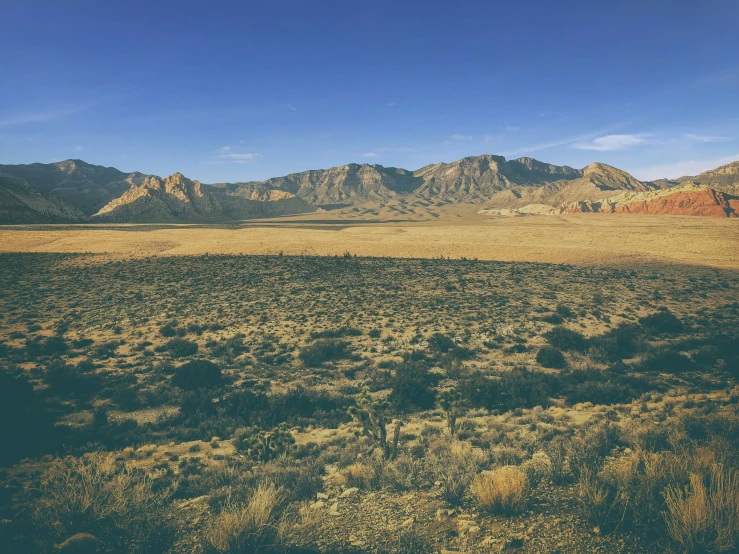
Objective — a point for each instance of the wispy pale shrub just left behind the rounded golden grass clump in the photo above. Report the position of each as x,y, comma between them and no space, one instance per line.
454,465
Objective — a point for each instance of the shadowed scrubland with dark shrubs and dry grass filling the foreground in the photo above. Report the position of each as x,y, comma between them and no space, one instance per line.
224,404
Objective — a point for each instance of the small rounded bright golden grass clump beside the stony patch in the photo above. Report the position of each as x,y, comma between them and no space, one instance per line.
504,490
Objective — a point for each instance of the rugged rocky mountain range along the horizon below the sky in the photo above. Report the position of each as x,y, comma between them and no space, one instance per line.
74,191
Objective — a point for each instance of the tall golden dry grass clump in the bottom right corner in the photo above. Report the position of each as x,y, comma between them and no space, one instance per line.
704,516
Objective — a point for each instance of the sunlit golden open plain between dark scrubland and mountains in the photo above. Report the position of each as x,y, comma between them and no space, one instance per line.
573,239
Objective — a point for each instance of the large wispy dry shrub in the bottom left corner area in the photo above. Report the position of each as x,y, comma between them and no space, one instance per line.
94,495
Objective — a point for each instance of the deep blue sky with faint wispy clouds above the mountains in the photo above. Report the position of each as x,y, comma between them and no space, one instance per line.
238,91
